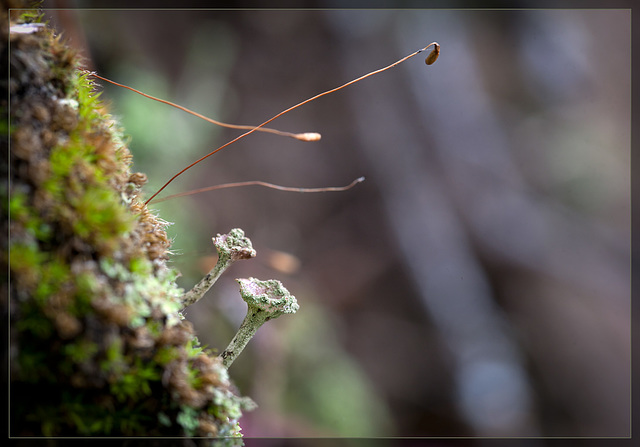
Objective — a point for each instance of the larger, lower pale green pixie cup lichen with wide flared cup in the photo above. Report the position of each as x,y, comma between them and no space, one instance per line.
266,300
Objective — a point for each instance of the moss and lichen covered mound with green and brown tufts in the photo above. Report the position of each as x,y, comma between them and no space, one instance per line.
98,347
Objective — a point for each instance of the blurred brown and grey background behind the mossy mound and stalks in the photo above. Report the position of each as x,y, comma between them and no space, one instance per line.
476,284
